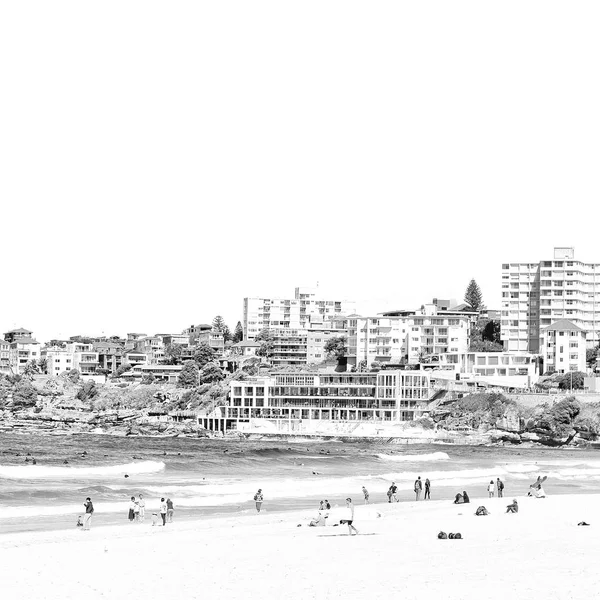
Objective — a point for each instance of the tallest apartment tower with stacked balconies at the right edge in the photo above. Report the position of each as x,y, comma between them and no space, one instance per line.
537,294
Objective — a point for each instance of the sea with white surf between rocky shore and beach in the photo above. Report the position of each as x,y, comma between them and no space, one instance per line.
220,477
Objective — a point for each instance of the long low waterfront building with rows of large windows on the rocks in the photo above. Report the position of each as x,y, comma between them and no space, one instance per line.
307,401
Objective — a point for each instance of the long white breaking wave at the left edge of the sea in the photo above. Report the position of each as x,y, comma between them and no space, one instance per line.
42,472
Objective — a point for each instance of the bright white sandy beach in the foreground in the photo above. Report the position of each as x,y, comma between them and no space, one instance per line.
539,552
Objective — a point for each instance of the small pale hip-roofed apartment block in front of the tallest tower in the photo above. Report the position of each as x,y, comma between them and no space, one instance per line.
563,347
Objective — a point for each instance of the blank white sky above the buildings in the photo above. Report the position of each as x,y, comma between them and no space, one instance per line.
160,161
